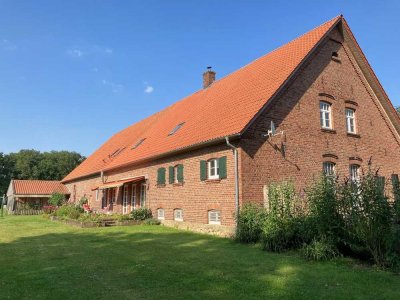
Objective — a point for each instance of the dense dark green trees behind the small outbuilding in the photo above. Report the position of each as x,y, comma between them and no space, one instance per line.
32,164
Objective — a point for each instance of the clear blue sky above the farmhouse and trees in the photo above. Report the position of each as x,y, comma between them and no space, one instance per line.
72,73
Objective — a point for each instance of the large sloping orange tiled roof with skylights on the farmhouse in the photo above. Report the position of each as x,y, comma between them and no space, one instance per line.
223,109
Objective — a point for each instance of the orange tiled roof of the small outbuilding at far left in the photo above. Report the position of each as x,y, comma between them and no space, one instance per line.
38,187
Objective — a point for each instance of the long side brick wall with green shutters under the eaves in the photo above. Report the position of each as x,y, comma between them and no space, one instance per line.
195,197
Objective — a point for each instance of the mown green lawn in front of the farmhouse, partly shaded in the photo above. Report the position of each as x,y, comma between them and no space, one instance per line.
41,259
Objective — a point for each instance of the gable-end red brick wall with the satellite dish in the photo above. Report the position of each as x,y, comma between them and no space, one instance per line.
296,113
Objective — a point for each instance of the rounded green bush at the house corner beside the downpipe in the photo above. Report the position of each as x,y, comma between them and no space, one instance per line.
249,223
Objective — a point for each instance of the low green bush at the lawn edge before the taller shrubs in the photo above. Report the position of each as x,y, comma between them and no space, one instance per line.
319,250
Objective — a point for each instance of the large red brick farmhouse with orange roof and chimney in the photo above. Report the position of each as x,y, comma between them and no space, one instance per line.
197,161
